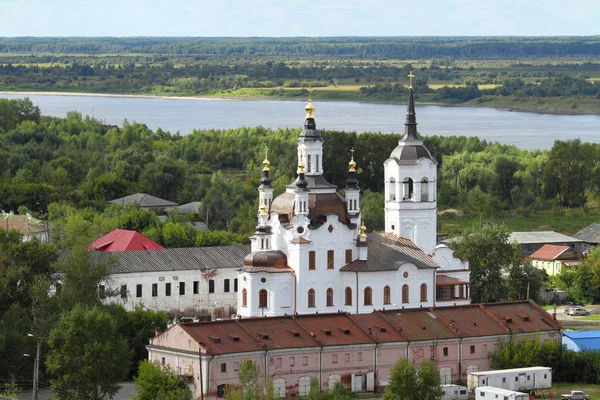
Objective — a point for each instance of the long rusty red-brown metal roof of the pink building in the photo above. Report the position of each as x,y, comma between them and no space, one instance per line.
251,334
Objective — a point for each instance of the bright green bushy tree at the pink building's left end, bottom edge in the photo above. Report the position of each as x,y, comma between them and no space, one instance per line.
156,382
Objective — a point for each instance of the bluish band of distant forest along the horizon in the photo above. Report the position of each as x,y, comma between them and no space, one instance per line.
372,47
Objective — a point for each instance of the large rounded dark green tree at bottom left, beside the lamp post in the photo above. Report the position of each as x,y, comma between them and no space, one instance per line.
88,357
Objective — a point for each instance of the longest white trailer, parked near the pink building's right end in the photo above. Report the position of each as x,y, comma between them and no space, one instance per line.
517,379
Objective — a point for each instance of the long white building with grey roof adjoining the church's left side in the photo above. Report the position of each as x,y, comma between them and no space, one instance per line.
181,280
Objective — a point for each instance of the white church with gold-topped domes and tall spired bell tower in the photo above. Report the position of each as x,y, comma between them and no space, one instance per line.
311,253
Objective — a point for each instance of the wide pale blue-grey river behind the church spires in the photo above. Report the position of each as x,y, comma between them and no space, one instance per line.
525,130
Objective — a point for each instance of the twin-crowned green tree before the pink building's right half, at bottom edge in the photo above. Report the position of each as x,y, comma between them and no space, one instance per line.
406,384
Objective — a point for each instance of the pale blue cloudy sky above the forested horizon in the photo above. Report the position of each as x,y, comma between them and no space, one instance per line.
299,18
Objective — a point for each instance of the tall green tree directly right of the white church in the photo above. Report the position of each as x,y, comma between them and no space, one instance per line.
490,255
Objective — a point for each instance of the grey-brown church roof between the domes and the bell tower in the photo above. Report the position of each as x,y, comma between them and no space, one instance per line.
387,252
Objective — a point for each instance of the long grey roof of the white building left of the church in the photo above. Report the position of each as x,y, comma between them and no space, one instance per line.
179,259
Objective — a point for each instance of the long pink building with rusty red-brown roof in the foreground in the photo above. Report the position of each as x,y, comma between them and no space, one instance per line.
357,349
